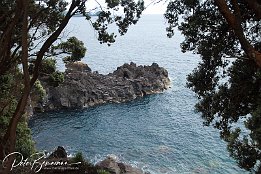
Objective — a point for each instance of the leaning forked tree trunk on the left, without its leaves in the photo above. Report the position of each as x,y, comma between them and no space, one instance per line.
7,146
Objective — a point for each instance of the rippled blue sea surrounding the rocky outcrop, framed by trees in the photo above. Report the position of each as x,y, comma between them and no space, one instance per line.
160,133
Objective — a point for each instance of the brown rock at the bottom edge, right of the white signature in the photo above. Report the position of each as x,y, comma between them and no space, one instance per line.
111,165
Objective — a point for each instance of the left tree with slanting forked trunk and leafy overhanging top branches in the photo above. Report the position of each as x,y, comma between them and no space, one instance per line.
28,29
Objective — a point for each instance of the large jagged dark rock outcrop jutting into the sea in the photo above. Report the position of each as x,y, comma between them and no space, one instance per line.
83,88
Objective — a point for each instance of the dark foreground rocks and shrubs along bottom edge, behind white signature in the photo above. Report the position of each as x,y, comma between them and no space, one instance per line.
59,162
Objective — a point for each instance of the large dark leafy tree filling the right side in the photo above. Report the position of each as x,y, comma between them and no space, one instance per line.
228,89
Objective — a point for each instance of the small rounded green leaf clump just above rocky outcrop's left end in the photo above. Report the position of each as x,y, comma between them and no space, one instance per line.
74,47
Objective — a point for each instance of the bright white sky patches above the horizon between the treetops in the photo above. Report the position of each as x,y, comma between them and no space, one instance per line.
152,8
